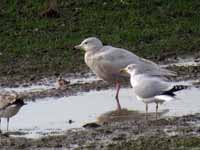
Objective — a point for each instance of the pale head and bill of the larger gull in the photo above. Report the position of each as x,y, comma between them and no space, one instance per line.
90,44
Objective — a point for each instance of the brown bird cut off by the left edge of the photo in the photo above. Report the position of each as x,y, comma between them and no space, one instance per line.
10,104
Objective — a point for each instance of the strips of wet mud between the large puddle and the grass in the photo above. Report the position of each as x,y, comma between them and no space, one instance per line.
184,73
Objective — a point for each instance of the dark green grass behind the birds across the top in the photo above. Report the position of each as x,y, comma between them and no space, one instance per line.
152,29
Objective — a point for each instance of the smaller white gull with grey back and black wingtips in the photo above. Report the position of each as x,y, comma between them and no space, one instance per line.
151,89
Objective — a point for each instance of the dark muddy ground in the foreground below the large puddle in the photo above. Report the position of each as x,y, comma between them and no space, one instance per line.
179,133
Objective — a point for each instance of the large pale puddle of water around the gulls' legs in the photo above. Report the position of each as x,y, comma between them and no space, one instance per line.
54,115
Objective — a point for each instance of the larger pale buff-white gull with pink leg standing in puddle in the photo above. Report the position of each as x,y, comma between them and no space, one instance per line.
106,61
